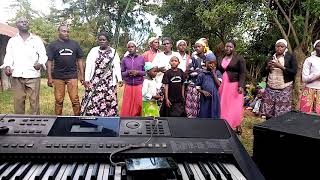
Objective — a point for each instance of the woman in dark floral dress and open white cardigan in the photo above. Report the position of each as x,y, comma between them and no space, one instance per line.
101,76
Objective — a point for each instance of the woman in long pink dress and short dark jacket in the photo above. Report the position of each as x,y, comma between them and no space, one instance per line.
233,69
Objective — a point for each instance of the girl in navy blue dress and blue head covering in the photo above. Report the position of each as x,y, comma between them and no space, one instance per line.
207,84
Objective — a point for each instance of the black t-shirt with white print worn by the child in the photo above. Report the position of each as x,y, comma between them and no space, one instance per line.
175,80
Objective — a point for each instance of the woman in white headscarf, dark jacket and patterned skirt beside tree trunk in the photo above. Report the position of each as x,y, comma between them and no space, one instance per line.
280,71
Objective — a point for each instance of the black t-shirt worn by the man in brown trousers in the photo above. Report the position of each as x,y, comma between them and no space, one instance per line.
64,54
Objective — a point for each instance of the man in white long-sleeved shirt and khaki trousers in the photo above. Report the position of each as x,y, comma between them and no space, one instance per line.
25,54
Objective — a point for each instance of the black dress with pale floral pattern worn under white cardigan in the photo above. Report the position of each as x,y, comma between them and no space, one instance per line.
101,98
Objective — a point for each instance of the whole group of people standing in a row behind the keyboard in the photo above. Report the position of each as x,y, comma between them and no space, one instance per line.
156,83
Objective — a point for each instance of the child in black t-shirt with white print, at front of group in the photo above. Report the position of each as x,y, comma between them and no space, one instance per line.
173,80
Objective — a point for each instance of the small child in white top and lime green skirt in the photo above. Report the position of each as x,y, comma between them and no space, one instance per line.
149,92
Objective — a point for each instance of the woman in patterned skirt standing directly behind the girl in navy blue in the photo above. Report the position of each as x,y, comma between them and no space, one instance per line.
195,68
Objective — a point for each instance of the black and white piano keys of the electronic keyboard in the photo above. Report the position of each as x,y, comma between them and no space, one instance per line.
104,171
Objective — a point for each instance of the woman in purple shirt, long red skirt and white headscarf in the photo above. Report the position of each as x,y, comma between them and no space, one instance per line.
132,70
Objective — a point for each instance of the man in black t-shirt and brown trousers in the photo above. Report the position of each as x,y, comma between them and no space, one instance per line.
66,57
